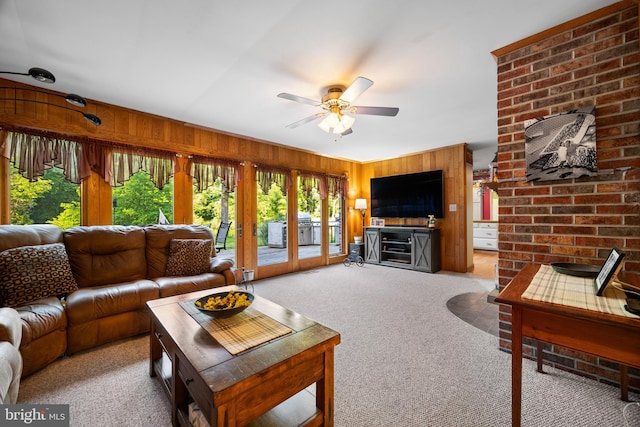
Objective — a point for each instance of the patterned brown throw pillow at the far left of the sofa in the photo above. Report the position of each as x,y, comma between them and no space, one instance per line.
28,273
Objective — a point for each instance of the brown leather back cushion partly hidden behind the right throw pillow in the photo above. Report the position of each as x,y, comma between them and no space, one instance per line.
158,244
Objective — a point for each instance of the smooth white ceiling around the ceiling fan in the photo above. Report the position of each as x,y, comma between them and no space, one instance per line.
220,64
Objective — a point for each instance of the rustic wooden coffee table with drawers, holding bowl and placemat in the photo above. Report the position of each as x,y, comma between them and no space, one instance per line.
264,386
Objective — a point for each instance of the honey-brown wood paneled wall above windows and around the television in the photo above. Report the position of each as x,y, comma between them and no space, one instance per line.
135,128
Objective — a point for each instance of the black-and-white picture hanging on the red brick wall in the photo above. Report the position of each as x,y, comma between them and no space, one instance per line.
561,146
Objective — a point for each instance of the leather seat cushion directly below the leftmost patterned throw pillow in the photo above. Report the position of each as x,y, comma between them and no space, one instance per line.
40,318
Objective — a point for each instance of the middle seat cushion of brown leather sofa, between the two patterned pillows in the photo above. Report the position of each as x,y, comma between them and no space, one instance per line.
87,304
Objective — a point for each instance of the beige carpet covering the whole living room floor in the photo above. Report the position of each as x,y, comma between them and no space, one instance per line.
404,360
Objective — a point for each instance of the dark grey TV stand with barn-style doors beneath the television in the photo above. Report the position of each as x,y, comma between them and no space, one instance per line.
415,248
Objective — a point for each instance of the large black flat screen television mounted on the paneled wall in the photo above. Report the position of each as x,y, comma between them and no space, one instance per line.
414,195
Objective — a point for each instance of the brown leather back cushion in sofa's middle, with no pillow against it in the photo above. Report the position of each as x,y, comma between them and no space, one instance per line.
102,255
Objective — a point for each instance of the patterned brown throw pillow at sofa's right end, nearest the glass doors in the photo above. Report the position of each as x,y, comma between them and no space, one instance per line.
188,257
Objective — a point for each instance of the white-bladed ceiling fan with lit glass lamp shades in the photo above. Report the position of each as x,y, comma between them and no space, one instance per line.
336,104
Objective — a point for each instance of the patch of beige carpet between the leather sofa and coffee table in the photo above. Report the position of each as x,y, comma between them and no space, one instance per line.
108,386
